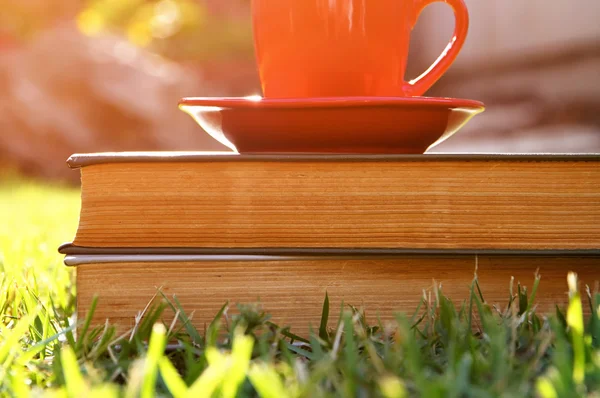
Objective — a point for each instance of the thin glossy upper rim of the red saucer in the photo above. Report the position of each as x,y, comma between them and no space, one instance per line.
327,102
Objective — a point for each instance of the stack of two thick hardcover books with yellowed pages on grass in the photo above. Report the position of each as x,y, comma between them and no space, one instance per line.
373,231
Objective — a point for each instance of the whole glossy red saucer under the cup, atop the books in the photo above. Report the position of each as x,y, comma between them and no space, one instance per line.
331,125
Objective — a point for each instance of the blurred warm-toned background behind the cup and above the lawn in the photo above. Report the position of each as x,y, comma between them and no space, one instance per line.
106,75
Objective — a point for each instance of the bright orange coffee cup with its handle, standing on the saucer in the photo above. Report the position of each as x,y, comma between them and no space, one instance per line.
341,48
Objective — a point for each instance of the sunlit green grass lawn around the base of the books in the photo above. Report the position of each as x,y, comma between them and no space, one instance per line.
444,349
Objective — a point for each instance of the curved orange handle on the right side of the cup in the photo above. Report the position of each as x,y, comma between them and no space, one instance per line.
420,85
